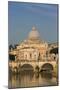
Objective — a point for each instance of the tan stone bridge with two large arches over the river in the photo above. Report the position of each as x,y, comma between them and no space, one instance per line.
26,65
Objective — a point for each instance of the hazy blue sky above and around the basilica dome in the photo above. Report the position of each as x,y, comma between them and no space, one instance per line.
22,16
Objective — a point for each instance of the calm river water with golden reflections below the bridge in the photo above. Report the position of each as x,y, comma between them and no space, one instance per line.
31,79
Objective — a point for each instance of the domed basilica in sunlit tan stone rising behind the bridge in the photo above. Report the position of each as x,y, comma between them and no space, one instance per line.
32,48
